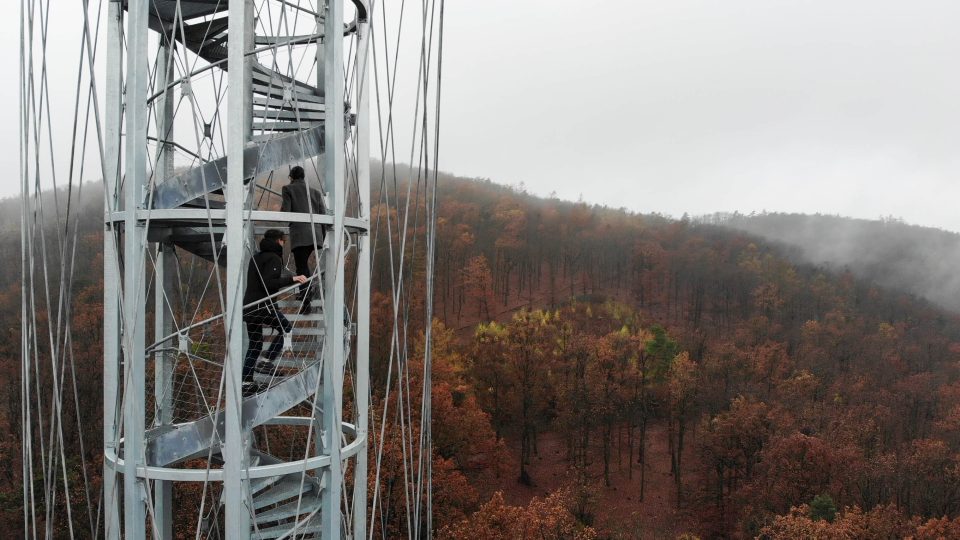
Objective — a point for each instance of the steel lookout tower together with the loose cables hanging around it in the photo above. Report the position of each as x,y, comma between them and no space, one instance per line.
207,104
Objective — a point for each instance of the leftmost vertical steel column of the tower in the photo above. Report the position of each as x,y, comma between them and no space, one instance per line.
111,287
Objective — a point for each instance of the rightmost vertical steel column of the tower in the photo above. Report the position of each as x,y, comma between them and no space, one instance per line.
363,283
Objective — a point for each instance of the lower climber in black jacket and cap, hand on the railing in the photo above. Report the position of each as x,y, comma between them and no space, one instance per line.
265,277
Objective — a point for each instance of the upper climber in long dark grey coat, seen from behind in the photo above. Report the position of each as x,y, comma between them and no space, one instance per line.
304,237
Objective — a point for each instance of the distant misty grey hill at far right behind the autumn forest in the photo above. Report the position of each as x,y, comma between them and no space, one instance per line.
919,260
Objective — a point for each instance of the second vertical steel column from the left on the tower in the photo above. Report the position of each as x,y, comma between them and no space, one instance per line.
134,234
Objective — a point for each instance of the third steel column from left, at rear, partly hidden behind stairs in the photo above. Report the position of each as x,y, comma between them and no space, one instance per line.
163,363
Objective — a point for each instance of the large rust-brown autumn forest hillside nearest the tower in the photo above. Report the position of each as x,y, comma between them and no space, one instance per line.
601,374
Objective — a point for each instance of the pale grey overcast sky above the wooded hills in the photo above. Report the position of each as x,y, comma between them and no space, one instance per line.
673,106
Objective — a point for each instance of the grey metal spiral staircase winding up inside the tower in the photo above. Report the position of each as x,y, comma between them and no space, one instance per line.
288,121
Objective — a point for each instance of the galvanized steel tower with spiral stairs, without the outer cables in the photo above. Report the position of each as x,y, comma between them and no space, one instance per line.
209,102
